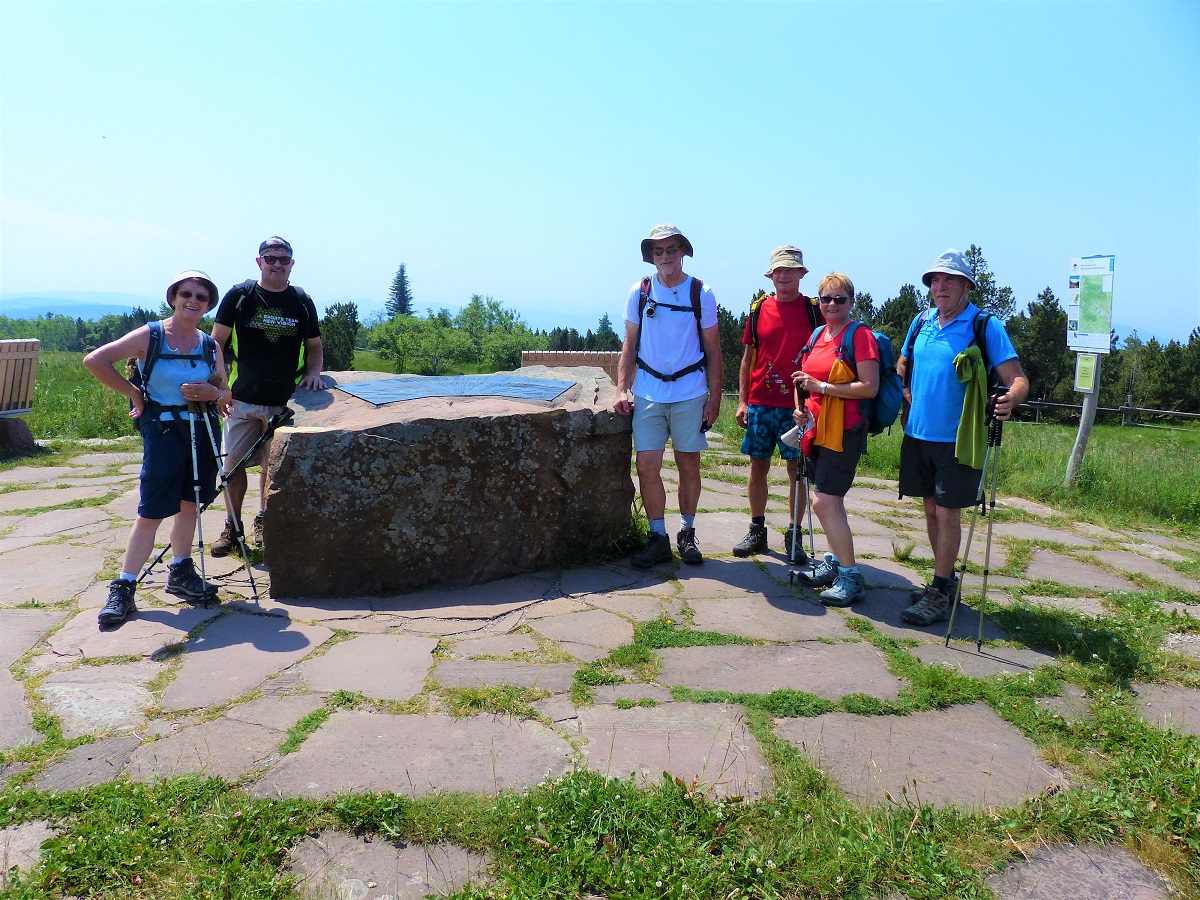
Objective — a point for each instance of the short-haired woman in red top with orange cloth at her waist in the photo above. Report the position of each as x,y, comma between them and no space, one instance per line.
838,434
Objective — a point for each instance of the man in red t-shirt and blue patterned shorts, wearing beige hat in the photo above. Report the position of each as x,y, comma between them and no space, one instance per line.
778,329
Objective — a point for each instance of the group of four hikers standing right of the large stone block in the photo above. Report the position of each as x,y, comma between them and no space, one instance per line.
811,370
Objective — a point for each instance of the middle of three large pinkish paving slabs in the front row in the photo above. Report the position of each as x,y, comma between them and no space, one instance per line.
706,743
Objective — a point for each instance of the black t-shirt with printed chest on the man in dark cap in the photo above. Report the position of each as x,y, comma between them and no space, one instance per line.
269,332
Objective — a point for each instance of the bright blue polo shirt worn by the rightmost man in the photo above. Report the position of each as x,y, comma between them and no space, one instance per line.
938,395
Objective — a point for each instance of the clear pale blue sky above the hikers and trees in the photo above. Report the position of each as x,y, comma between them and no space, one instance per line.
524,151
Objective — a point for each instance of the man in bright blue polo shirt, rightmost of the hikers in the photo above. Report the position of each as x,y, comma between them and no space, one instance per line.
929,467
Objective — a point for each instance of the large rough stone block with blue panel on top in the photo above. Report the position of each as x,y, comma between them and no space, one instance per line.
369,501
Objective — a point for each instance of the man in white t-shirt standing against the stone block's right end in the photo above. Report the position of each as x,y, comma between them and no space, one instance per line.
670,381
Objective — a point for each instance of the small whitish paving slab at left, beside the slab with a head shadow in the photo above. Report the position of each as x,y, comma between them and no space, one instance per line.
93,699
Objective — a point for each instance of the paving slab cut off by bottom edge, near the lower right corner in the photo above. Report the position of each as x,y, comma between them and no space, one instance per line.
1069,873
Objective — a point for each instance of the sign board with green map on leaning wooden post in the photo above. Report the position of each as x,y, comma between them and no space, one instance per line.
1089,333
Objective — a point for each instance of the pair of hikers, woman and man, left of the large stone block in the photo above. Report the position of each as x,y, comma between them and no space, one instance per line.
269,332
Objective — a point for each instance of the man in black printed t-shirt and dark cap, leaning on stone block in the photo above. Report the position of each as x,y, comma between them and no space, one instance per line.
265,326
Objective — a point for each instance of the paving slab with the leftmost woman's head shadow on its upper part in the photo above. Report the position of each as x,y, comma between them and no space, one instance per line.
237,653
